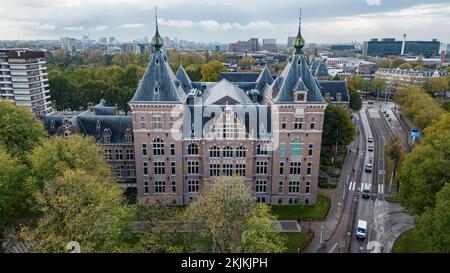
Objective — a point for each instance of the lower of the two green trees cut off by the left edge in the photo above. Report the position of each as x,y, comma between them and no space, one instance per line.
13,192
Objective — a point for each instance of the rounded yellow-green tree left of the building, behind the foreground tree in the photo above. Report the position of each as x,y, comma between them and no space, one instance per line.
55,155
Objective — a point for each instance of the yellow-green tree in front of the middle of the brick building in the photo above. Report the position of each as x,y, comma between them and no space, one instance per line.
227,212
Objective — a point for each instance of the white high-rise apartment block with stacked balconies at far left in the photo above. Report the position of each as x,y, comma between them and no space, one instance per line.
24,80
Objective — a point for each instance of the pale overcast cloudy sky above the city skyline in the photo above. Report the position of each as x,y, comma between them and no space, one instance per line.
226,20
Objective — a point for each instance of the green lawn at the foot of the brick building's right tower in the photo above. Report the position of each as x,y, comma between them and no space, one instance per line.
303,212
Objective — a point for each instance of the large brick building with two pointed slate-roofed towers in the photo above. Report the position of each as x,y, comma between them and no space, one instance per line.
266,131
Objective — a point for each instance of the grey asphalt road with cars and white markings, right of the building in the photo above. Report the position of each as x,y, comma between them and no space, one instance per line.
381,215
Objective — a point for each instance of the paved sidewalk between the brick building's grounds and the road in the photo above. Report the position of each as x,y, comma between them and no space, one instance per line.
335,195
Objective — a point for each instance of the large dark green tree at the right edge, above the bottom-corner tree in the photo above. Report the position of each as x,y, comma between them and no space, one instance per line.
427,168
